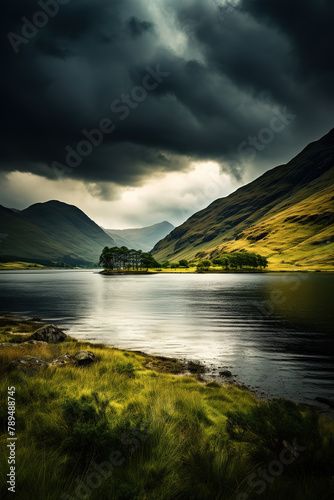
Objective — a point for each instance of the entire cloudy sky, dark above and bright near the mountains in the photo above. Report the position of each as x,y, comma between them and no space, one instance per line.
139,111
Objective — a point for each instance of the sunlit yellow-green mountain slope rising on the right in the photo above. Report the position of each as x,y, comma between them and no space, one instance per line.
287,214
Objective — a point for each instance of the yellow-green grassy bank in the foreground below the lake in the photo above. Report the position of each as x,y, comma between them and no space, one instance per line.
132,426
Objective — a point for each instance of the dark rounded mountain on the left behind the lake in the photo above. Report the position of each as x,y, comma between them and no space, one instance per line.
51,232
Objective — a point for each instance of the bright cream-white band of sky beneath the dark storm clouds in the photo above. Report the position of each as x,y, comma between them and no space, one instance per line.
173,196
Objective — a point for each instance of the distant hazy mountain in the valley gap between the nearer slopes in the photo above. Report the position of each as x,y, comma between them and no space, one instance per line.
143,238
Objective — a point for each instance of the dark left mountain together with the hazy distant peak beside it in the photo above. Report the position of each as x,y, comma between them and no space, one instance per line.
55,233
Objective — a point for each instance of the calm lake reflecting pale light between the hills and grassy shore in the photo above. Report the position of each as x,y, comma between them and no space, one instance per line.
273,331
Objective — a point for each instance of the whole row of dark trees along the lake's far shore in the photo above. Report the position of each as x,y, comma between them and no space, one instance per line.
125,259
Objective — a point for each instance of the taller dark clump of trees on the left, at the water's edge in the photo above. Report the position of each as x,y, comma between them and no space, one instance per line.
123,258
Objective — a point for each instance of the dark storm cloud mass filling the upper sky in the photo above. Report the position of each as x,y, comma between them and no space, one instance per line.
226,74
